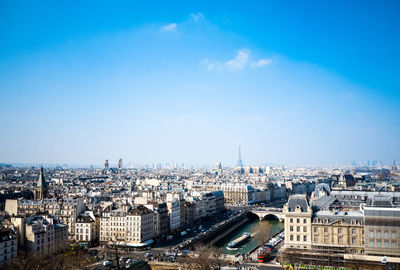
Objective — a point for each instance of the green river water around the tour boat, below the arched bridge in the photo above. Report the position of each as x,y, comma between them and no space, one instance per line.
260,231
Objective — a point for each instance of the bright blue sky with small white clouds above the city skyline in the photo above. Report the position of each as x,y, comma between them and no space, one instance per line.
312,82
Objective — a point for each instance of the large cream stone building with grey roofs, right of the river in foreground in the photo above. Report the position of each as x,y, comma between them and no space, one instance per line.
367,236
